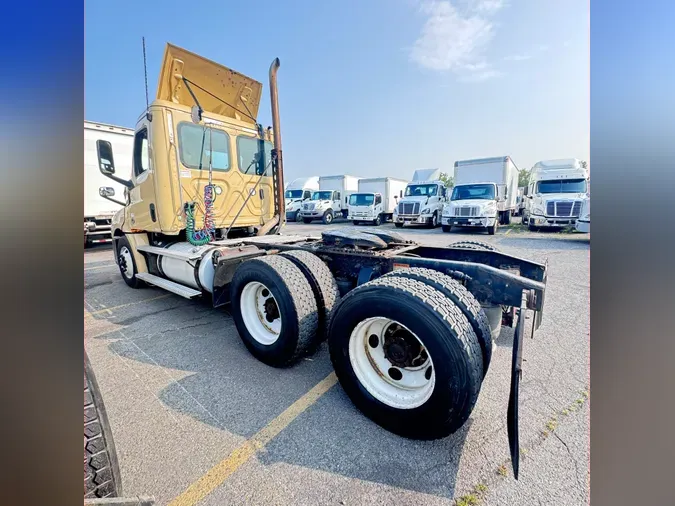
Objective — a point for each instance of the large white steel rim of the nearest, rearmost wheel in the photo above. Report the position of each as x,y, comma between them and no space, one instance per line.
372,367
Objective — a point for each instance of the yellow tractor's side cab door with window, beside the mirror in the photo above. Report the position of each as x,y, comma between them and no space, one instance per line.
142,210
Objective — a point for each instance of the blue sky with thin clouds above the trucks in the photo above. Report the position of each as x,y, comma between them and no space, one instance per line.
371,87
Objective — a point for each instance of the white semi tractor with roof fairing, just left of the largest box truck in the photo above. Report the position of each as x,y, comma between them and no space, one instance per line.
422,201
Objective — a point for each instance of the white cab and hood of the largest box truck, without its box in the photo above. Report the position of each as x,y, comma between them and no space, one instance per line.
473,205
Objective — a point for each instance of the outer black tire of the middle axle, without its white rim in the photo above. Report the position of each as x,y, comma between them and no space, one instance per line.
296,305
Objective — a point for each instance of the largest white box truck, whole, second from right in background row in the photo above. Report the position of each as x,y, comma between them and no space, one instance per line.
485,194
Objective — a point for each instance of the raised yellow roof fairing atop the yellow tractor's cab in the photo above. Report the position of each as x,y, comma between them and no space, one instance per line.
220,91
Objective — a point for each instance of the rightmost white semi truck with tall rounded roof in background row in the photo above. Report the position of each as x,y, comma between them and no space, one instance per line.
555,193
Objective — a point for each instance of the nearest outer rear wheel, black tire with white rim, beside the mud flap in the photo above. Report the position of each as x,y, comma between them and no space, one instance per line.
407,357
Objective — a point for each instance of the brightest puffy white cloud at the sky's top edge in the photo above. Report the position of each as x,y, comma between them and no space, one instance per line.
456,41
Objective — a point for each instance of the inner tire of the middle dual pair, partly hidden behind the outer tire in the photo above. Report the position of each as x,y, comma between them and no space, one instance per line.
324,286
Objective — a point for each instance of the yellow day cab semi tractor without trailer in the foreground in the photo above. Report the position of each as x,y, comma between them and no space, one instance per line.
410,328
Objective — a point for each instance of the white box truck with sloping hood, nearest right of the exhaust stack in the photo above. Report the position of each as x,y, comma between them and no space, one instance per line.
331,200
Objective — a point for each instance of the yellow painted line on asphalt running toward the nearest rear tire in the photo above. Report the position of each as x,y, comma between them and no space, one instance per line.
215,476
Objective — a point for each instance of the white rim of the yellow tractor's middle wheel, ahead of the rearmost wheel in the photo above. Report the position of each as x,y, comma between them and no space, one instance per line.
257,309
